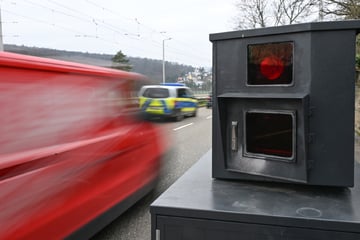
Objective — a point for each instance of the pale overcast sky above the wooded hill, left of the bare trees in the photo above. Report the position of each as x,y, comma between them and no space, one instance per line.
136,27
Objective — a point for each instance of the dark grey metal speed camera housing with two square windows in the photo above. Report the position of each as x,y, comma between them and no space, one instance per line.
318,103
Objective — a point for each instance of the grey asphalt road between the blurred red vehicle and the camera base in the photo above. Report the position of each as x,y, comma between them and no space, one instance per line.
190,139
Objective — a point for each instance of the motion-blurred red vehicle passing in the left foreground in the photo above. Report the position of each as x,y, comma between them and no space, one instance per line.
73,154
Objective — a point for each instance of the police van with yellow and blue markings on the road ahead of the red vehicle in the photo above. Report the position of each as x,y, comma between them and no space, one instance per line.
170,100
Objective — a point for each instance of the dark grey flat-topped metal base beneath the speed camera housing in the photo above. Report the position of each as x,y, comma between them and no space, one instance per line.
199,207
